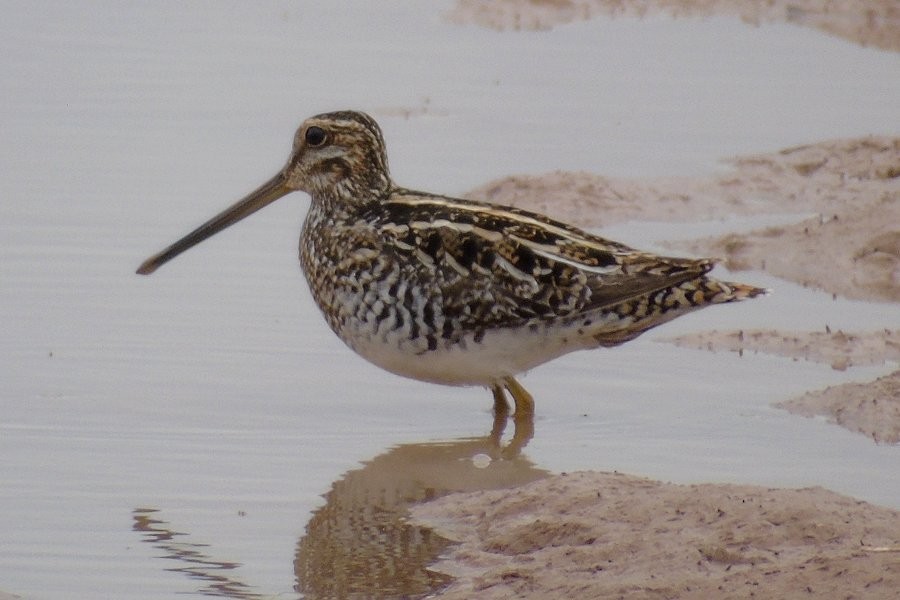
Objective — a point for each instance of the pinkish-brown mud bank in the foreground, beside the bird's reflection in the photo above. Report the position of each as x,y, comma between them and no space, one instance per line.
609,535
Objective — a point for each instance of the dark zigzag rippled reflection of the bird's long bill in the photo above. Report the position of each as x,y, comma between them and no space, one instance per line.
196,563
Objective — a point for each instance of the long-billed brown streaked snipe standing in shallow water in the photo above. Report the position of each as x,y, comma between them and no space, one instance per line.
454,291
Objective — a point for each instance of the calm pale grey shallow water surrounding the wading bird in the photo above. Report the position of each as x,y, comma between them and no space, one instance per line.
175,434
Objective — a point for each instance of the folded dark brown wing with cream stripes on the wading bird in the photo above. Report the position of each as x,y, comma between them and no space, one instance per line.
504,265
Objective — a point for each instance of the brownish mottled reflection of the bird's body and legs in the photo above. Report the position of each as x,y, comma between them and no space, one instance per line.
360,545
